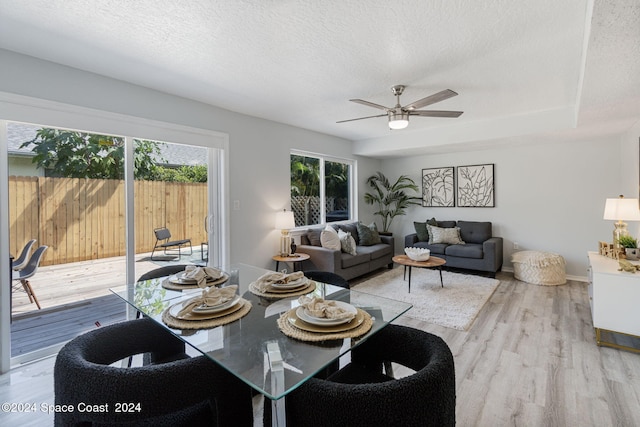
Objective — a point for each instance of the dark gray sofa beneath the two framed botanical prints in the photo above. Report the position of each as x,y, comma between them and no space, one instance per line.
481,250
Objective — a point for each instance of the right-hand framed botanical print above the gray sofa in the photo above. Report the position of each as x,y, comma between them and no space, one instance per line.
476,186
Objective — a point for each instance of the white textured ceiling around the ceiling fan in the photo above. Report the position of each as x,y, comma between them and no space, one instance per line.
520,67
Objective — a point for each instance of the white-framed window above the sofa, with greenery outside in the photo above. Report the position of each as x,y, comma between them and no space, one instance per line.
321,189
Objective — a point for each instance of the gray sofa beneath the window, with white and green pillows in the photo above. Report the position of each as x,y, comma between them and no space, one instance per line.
367,258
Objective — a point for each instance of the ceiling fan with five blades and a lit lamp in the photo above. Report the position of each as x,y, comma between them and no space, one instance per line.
399,116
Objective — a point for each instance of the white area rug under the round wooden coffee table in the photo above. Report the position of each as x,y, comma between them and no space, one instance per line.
454,306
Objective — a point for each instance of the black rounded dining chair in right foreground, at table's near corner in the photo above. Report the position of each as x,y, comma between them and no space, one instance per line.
362,394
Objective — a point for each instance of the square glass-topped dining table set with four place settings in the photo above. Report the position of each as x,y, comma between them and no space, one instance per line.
253,347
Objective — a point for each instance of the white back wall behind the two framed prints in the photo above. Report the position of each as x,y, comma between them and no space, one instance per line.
549,197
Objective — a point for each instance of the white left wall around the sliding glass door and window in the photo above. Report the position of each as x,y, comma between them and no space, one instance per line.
258,149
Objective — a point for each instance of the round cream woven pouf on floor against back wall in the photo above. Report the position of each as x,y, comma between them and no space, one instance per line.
539,268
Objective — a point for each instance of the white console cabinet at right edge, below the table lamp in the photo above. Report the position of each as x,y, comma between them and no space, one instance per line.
615,299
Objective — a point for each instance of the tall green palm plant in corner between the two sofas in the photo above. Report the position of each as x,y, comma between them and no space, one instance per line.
392,199
